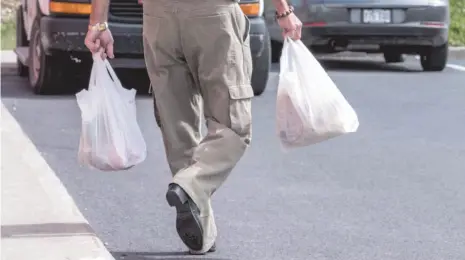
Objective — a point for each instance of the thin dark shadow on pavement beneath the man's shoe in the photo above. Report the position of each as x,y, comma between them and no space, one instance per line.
160,255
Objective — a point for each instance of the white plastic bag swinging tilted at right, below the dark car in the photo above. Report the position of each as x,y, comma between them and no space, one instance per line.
310,108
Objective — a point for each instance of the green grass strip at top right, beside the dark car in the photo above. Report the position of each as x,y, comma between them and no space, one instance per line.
457,26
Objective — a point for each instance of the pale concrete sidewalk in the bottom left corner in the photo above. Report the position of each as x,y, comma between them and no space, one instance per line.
39,220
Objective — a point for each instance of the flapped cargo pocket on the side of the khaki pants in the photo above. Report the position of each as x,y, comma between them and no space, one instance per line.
240,110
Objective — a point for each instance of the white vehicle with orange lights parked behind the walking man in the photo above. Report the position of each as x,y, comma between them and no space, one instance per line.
51,51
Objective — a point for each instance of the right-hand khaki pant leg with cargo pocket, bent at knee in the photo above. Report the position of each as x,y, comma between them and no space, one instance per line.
215,40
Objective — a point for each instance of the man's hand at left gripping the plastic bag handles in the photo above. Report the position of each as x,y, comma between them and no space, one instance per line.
97,40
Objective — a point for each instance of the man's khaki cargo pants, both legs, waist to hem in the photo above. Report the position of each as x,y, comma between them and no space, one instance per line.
198,58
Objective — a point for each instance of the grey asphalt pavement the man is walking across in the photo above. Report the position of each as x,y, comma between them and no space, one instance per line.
393,190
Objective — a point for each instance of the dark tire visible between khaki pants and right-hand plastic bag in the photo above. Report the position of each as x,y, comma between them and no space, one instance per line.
261,69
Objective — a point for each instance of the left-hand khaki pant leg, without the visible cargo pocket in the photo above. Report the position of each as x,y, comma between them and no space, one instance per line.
176,97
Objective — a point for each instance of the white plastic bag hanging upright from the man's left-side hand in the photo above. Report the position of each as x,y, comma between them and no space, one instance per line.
111,139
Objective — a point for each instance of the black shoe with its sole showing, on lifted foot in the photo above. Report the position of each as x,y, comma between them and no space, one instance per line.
188,217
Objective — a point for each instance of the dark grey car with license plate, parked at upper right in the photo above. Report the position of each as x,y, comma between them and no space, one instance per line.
391,27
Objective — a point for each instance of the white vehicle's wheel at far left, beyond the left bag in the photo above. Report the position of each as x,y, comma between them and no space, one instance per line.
44,70
